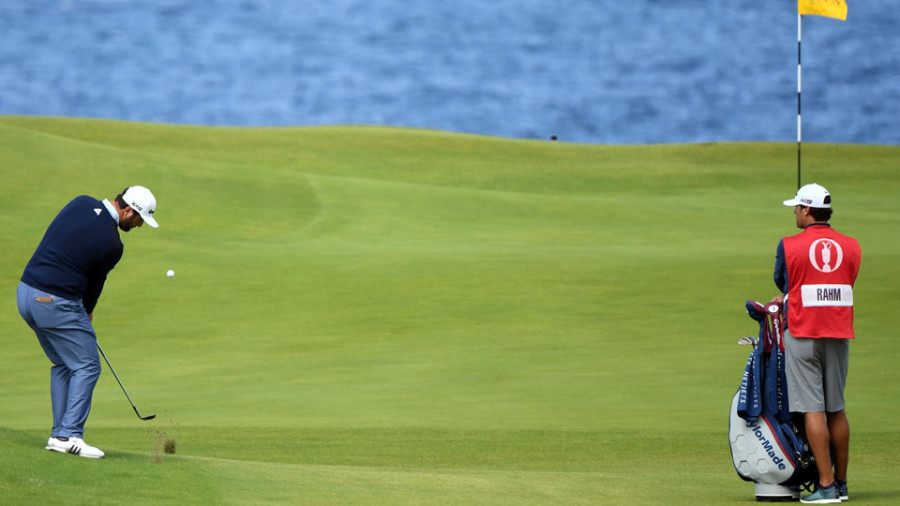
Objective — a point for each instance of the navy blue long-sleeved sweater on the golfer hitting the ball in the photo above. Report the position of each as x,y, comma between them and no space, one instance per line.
77,252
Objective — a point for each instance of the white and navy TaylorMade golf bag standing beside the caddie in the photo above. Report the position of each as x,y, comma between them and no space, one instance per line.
768,442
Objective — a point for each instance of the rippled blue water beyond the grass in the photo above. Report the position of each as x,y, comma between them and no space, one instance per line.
592,71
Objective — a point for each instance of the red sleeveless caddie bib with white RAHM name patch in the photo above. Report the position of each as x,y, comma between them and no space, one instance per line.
822,266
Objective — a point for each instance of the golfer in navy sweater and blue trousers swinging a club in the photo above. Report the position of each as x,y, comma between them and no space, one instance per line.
57,295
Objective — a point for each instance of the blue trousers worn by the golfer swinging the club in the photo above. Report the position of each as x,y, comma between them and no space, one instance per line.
67,336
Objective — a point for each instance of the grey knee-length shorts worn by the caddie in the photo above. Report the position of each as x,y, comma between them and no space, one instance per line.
816,373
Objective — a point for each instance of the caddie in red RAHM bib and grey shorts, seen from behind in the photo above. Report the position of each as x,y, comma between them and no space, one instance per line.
815,271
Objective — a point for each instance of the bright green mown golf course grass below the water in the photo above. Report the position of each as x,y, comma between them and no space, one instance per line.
371,315
